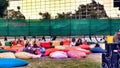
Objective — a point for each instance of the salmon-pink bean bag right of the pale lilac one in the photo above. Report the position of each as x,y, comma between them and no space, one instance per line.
76,54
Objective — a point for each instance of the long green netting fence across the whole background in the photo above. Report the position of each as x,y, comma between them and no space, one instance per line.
58,27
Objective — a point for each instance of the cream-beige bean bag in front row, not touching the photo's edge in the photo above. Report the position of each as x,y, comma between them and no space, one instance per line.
23,55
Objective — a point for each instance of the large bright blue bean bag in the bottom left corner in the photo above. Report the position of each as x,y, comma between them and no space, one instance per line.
12,62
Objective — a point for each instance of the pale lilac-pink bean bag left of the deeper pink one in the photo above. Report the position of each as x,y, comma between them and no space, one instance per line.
58,55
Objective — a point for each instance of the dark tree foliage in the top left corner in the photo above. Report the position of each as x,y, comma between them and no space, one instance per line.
3,6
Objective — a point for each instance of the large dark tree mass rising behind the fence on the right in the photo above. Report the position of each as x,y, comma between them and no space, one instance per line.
90,10
